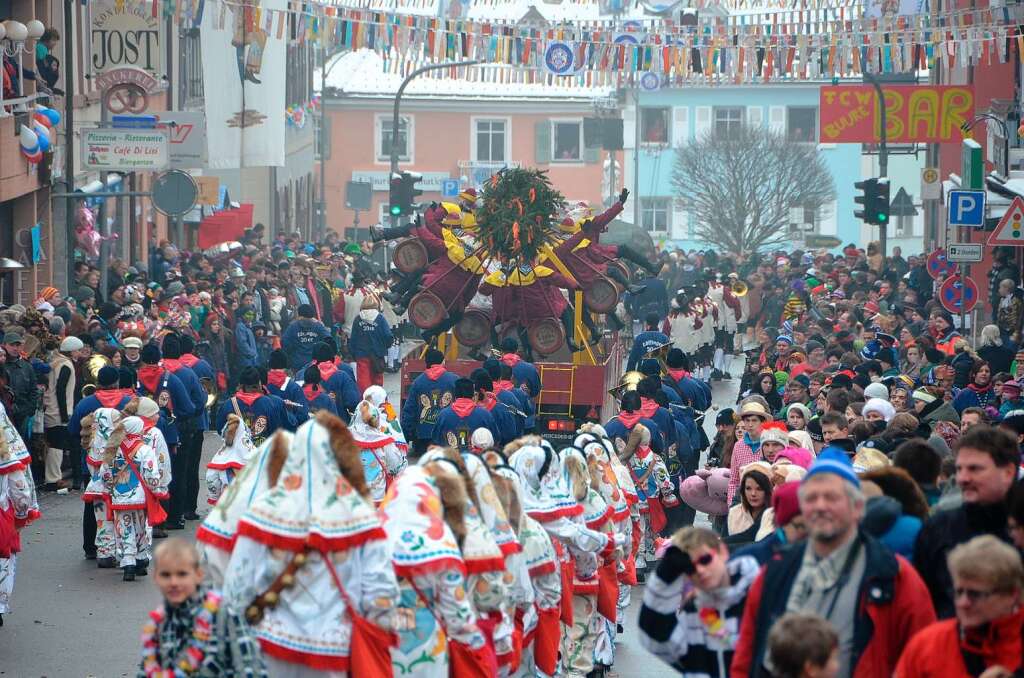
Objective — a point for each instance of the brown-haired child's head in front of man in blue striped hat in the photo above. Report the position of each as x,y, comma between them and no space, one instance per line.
803,646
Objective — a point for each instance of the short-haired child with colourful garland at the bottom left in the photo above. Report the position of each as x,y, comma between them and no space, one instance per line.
194,632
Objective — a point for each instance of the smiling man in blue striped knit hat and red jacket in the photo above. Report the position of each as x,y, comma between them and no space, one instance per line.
876,601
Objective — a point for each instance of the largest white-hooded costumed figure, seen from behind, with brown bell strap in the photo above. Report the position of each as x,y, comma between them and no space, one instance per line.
312,566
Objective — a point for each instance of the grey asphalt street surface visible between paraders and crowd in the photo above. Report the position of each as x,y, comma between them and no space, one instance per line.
91,618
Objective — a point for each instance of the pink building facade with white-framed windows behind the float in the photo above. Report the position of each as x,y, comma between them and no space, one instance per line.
455,139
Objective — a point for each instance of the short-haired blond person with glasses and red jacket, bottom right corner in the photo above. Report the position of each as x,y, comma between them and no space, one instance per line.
986,638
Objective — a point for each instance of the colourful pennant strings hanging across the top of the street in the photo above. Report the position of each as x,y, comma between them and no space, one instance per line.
792,46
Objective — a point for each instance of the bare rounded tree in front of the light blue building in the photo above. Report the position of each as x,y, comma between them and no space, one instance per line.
741,188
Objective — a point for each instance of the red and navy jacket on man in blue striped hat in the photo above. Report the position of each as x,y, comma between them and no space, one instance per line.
893,606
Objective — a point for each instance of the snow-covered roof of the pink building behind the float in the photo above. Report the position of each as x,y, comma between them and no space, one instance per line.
362,74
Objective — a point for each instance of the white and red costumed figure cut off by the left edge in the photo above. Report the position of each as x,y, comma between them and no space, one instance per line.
18,504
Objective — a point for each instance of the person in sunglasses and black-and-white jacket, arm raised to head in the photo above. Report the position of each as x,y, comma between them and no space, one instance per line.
691,639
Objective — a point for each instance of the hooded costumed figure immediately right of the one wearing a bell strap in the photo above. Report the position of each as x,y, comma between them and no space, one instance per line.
424,518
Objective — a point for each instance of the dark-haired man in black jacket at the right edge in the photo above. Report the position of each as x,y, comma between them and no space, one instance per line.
988,460
